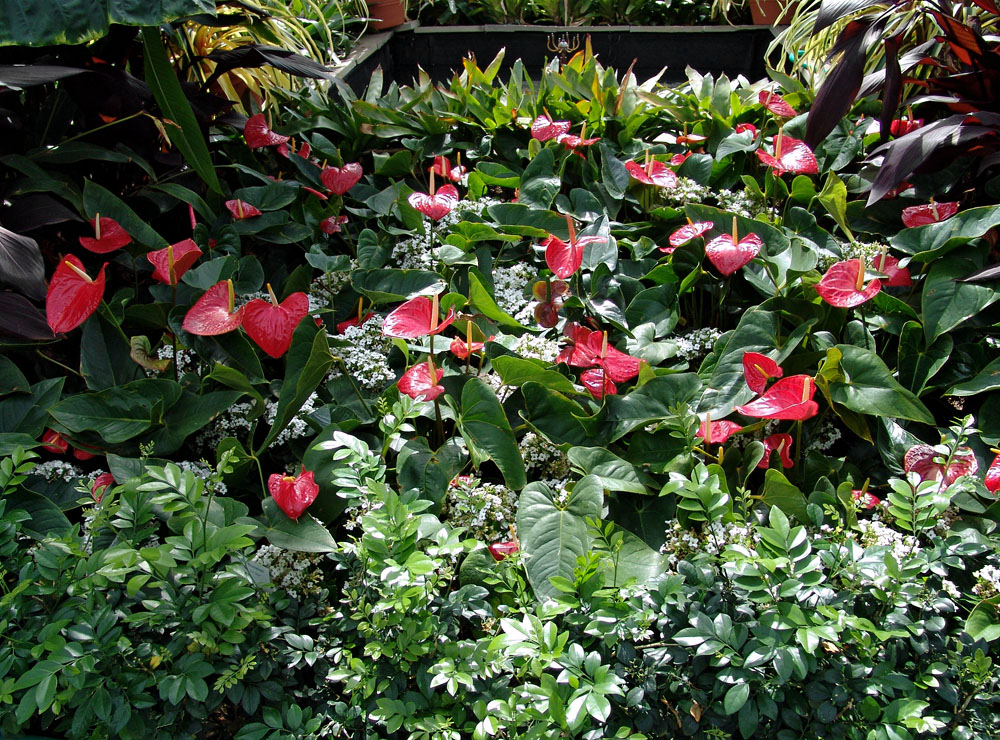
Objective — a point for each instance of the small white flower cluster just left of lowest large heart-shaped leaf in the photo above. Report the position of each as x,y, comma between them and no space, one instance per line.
486,510
